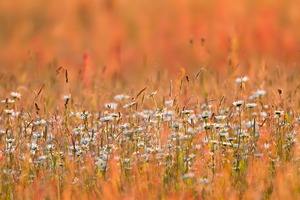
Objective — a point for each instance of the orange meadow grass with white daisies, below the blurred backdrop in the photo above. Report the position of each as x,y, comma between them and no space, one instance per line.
194,137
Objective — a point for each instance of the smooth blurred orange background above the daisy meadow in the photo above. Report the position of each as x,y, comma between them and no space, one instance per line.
124,36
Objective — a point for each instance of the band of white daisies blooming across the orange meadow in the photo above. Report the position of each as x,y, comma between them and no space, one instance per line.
175,139
